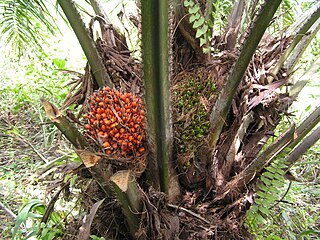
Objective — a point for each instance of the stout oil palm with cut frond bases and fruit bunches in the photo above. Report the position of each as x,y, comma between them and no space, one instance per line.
212,101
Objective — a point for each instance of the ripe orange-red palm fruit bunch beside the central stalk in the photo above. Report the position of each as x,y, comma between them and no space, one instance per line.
116,122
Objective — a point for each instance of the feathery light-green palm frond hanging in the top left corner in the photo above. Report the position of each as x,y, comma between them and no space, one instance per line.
23,23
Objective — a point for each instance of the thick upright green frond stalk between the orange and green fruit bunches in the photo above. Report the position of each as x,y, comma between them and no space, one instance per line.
155,46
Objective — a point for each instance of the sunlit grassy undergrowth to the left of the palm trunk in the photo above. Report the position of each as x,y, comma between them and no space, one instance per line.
31,149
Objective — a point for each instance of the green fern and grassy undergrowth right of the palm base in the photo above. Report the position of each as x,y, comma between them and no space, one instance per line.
293,205
